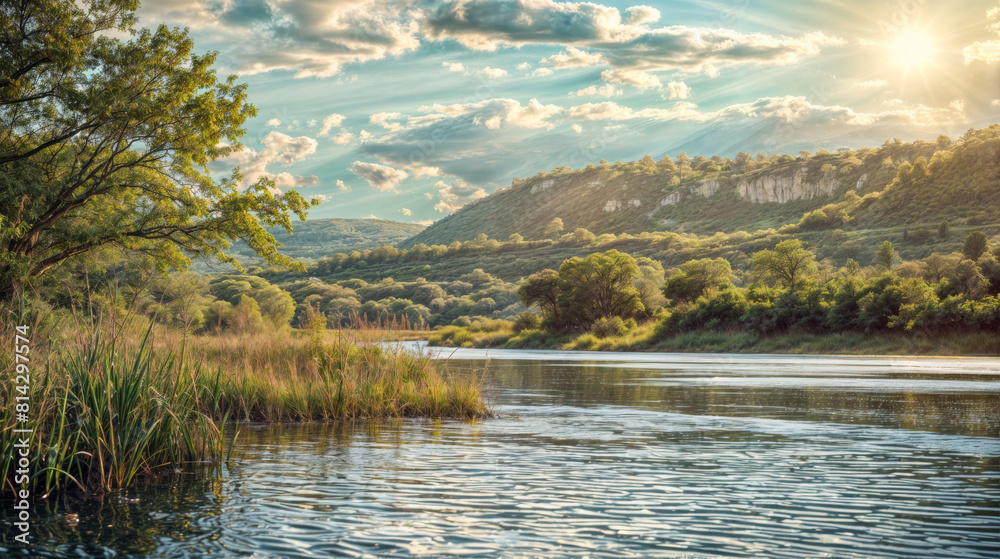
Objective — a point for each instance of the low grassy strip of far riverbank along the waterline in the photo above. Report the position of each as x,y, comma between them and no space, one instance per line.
644,338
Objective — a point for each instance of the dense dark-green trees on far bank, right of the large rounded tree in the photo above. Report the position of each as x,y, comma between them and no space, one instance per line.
942,293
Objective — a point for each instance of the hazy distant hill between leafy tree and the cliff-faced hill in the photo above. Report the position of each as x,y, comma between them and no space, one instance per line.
317,238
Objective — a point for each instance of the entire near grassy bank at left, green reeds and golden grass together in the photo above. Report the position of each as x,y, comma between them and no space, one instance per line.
111,406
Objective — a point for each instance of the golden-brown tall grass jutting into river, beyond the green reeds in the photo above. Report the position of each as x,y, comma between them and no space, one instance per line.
288,377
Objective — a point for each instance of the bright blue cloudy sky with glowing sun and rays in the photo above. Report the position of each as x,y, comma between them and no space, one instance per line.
408,110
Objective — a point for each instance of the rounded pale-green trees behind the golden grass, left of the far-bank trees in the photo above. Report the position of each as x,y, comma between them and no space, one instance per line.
243,303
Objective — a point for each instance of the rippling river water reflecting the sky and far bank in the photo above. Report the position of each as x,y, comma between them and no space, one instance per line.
599,455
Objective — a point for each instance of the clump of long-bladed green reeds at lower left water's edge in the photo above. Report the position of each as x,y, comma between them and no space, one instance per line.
107,413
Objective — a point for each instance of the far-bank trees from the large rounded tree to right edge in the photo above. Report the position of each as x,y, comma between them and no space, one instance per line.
783,291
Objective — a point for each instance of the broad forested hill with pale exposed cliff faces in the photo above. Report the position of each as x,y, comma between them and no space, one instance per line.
909,184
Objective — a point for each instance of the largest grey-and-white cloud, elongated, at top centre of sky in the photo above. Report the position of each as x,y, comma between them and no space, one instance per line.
624,42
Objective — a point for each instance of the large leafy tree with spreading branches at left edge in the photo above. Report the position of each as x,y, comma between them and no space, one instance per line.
107,142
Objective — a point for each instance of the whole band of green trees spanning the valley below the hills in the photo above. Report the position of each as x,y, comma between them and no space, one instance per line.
607,292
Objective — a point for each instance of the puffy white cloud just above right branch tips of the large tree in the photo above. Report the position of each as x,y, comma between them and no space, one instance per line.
279,149
